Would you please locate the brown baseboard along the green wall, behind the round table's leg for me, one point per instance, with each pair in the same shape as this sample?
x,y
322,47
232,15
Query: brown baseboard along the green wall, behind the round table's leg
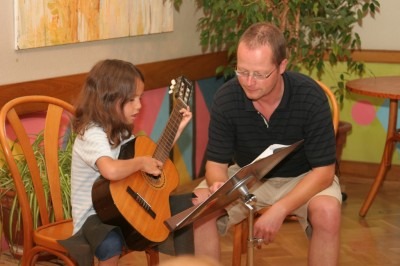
x,y
367,170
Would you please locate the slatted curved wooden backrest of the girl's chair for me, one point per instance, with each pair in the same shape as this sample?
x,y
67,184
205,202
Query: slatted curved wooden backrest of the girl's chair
x,y
47,189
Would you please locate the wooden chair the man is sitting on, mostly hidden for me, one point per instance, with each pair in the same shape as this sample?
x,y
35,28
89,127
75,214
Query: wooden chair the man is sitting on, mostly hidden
x,y
240,230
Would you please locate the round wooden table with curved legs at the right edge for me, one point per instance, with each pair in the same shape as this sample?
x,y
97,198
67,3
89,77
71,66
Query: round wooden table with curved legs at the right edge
x,y
381,87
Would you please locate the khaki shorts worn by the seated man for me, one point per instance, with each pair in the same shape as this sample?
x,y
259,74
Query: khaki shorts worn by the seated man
x,y
267,193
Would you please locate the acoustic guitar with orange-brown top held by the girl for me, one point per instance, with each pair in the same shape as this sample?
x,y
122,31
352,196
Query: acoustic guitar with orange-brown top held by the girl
x,y
139,203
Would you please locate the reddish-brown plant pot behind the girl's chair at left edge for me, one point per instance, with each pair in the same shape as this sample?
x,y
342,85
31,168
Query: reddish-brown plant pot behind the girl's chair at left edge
x,y
12,232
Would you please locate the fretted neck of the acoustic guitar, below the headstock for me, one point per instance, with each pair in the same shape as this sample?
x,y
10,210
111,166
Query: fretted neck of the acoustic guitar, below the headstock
x,y
166,140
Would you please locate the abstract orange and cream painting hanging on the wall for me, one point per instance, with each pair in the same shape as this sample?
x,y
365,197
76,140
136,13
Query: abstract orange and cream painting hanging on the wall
x,y
40,23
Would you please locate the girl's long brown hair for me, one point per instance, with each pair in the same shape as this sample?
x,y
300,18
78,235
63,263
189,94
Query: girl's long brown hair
x,y
109,85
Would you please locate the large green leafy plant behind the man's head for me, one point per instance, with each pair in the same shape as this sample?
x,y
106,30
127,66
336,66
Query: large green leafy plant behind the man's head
x,y
318,33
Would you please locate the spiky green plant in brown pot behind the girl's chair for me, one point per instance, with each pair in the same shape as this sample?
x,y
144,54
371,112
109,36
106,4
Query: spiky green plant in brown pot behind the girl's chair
x,y
9,209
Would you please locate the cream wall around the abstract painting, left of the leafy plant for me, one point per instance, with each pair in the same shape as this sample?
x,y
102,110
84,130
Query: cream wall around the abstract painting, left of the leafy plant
x,y
39,63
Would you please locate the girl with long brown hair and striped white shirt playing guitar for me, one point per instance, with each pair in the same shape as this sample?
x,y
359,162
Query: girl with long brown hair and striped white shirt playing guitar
x,y
105,113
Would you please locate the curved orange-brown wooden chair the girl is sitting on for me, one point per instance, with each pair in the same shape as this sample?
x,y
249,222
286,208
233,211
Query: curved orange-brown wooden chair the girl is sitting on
x,y
43,239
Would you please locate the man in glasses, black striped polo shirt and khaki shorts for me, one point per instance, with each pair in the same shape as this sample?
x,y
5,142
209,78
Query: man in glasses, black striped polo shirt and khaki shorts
x,y
265,105
